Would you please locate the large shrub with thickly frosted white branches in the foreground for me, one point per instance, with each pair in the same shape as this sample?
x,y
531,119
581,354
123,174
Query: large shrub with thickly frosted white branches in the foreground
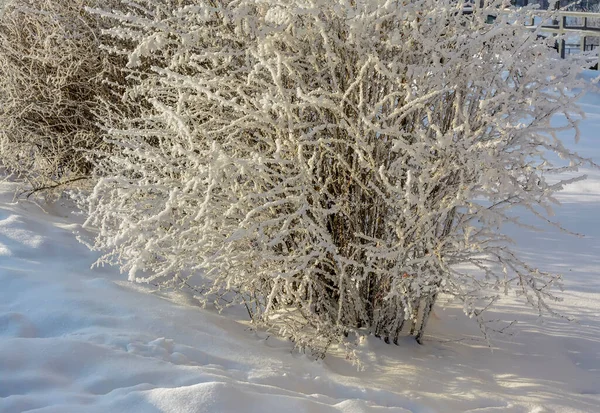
x,y
334,165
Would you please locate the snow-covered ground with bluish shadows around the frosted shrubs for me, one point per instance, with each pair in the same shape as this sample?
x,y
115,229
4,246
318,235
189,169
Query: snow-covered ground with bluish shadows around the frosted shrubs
x,y
79,340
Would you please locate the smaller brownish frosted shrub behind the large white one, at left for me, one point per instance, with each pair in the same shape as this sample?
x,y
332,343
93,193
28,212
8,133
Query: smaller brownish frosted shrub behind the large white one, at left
x,y
54,80
